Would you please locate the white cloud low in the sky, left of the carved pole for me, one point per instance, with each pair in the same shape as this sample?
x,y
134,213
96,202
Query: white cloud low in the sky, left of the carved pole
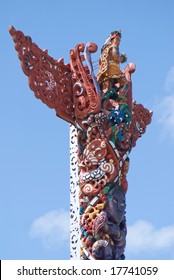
x,y
52,228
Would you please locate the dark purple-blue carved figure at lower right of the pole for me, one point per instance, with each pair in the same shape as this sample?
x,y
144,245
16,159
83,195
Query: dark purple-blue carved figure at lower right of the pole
x,y
110,225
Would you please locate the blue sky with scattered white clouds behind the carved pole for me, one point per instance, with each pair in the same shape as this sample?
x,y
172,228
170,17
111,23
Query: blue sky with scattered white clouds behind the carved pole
x,y
34,161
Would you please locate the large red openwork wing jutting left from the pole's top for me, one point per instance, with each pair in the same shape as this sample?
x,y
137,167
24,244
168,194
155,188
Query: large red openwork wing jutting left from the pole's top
x,y
49,79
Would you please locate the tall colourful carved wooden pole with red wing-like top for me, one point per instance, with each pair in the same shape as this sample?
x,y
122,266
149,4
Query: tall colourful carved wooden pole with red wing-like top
x,y
105,125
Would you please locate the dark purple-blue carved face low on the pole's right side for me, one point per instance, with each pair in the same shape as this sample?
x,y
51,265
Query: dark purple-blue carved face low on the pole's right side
x,y
117,205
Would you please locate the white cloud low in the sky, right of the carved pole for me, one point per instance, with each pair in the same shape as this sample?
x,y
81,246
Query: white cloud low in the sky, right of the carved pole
x,y
144,237
